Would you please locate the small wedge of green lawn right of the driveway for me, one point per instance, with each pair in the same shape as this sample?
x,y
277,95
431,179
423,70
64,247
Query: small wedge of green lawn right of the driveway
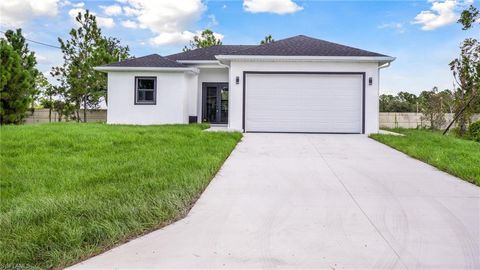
x,y
453,155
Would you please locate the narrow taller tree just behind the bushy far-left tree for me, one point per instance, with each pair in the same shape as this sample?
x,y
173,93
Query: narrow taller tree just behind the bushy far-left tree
x,y
28,61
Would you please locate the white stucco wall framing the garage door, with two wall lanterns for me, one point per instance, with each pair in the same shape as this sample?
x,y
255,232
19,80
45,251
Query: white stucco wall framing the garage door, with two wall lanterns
x,y
235,114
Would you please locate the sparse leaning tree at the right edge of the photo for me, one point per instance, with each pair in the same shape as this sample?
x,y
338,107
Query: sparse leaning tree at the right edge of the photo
x,y
466,71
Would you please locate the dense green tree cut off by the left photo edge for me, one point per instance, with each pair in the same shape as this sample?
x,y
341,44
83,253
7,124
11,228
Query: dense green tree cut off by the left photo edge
x,y
15,85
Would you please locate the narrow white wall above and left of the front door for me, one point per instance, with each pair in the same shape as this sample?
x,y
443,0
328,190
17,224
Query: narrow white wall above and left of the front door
x,y
215,75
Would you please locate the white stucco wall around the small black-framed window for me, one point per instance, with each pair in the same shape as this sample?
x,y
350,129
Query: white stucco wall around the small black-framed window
x,y
172,99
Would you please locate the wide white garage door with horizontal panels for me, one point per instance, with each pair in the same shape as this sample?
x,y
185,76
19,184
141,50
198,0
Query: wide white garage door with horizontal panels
x,y
304,103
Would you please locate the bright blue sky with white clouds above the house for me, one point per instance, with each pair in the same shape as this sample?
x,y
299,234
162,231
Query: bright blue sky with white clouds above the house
x,y
422,35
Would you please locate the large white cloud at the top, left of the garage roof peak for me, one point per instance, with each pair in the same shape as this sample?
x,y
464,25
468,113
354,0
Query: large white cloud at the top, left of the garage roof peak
x,y
170,21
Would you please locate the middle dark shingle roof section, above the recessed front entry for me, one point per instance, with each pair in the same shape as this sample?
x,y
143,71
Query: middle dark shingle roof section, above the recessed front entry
x,y
209,52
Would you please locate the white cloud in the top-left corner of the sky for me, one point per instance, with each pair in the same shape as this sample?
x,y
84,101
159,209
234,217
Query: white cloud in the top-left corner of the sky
x,y
15,13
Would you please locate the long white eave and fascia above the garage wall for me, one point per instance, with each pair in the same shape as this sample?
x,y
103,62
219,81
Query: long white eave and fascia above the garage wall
x,y
379,59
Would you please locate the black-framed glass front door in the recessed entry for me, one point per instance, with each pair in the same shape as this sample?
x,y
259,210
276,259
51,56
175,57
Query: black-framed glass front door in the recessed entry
x,y
215,103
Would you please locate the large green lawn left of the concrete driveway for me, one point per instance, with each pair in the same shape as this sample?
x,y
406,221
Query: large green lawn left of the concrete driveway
x,y
69,191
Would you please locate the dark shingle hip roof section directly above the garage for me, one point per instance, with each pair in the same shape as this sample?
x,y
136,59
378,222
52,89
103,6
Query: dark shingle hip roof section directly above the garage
x,y
304,46
